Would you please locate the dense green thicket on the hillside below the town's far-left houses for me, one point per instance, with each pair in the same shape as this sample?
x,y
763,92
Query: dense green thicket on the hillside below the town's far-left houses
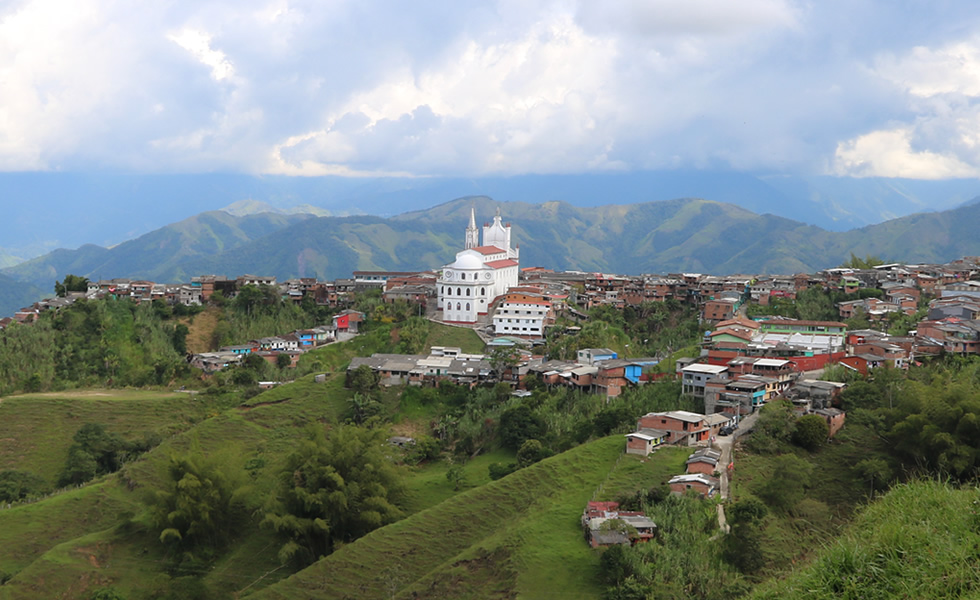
x,y
118,343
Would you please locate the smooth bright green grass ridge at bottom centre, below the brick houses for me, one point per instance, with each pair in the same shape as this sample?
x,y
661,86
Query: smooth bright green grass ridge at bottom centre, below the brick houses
x,y
516,536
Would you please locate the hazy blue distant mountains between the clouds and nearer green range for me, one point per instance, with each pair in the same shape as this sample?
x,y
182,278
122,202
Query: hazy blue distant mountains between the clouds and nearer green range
x,y
45,211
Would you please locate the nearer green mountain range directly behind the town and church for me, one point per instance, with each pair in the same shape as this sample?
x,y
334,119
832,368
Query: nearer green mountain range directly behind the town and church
x,y
654,237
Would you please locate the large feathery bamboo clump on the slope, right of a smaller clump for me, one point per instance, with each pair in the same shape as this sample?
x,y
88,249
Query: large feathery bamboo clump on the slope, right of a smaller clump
x,y
333,490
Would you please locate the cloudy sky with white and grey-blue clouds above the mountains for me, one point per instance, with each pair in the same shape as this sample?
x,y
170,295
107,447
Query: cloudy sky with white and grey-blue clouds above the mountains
x,y
849,87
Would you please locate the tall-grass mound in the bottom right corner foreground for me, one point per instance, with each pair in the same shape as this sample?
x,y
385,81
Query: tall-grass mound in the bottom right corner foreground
x,y
920,540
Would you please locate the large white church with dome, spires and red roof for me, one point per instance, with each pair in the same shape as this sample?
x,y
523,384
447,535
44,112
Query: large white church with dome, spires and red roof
x,y
480,273
